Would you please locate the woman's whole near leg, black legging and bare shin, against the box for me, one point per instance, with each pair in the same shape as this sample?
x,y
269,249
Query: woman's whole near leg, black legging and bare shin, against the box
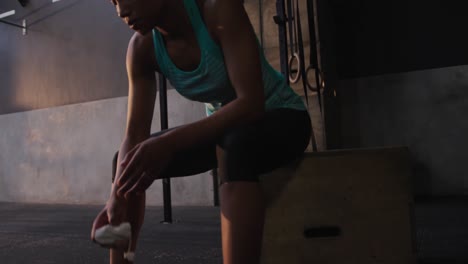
x,y
244,153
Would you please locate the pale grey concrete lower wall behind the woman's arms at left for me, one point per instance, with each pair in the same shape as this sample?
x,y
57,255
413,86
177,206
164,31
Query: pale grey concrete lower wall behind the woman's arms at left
x,y
63,154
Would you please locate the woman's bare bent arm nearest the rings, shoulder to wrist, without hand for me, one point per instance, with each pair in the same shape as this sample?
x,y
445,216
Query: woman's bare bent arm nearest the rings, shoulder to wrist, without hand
x,y
232,29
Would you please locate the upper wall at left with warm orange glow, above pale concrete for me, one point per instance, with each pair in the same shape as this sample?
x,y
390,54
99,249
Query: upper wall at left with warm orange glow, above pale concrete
x,y
74,52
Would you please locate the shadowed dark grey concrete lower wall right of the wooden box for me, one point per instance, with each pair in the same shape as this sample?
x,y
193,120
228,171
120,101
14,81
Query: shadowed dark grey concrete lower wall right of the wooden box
x,y
424,110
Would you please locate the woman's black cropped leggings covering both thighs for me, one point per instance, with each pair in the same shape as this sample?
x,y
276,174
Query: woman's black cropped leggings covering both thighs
x,y
278,138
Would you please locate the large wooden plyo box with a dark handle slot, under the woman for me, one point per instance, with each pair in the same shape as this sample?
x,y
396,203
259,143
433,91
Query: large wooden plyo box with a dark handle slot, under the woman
x,y
340,207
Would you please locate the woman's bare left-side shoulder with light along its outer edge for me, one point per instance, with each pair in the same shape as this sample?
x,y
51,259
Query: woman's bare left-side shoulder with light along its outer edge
x,y
141,58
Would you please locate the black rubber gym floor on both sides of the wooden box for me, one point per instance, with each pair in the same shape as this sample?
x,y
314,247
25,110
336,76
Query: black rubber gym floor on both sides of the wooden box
x,y
33,233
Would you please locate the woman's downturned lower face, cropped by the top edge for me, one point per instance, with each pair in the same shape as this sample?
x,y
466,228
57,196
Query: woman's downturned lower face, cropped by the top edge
x,y
139,15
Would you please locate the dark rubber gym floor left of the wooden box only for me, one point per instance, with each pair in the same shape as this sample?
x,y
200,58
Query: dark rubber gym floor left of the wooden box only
x,y
43,234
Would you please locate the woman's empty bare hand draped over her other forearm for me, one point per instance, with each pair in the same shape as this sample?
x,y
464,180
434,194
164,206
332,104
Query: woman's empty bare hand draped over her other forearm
x,y
142,165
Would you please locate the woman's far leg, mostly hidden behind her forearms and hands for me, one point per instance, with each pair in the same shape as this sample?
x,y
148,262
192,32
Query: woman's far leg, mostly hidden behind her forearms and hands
x,y
197,160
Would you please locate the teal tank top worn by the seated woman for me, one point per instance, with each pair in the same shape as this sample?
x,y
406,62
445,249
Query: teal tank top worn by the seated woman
x,y
209,82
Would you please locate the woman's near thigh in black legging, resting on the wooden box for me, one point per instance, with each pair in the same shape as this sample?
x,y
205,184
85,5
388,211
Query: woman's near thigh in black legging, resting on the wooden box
x,y
280,137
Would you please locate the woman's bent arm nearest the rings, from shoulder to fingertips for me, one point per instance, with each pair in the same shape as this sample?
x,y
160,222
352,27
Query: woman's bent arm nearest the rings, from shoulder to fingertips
x,y
233,31
